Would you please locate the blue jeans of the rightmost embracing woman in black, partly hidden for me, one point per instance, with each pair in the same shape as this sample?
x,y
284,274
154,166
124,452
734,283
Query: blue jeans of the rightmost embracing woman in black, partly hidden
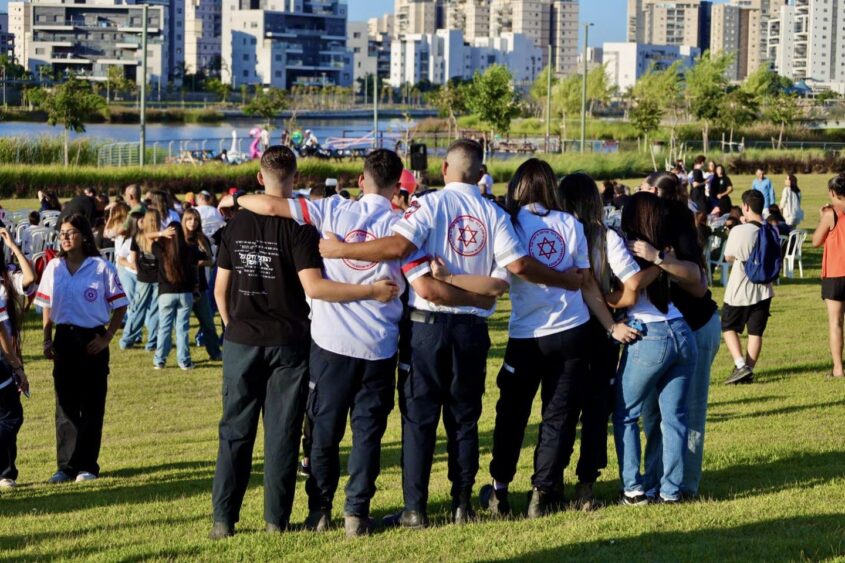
x,y
707,339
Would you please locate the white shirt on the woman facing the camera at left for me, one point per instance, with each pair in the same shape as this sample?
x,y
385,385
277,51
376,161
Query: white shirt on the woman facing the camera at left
x,y
86,298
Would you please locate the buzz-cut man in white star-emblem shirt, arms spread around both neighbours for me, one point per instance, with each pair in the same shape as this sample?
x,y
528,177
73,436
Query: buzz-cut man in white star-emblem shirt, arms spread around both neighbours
x,y
475,241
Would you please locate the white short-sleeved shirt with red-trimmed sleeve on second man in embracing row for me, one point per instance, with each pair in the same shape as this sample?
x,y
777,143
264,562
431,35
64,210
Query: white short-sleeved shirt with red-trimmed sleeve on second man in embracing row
x,y
367,330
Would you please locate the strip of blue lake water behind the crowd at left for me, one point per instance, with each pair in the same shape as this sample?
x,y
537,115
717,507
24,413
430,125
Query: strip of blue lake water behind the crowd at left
x,y
212,133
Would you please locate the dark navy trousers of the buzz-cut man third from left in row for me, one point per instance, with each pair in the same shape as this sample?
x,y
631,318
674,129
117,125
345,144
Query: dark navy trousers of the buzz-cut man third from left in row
x,y
448,368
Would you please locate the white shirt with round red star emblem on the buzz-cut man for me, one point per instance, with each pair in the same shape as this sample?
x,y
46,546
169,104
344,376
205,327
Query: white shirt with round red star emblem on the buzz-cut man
x,y
470,233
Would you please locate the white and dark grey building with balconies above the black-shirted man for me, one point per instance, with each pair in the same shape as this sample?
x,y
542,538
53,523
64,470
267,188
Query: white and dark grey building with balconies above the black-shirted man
x,y
285,42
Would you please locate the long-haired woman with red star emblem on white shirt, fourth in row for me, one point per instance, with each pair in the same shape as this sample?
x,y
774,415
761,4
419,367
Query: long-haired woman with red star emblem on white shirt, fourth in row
x,y
547,345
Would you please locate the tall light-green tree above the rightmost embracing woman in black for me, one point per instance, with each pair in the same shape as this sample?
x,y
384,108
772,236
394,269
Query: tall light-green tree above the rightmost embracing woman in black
x,y
706,88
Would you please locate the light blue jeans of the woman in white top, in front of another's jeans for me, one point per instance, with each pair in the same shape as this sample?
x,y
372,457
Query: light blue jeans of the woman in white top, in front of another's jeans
x,y
661,362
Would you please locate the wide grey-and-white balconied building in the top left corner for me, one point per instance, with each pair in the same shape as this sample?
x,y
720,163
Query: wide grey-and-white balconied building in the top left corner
x,y
86,40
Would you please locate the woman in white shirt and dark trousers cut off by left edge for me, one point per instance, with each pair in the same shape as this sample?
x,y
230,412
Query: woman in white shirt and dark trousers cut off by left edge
x,y
13,380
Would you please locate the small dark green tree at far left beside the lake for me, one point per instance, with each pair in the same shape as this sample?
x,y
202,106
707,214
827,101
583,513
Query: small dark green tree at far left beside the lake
x,y
70,104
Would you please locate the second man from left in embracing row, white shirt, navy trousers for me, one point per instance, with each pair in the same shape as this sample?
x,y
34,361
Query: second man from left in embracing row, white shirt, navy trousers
x,y
353,354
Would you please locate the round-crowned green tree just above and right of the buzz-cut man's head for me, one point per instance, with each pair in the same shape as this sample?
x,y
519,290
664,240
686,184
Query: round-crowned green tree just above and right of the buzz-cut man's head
x,y
493,98
